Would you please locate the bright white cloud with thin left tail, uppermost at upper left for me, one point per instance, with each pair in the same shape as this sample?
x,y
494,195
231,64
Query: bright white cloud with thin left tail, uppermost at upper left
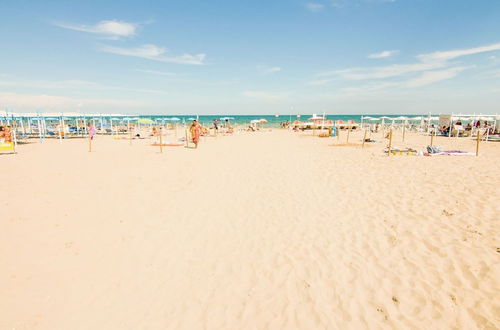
x,y
112,29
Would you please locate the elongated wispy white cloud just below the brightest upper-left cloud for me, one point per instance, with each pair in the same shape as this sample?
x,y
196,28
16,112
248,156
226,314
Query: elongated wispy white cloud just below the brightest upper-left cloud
x,y
153,52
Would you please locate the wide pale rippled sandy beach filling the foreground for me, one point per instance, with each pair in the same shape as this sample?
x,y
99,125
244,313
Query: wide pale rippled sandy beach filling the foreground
x,y
264,230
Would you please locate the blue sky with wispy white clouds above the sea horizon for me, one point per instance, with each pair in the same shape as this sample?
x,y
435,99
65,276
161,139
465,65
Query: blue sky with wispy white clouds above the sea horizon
x,y
250,57
